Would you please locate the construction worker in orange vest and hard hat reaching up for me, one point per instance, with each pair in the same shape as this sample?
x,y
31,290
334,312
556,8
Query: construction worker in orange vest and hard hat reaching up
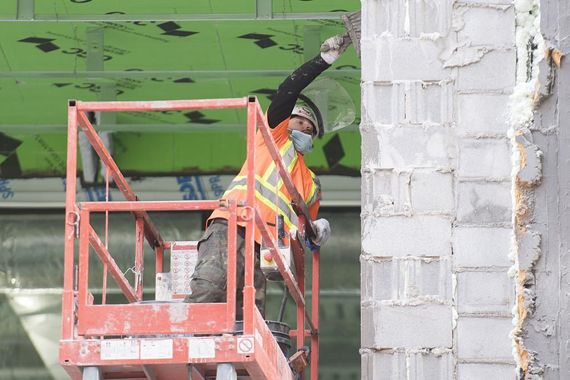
x,y
294,127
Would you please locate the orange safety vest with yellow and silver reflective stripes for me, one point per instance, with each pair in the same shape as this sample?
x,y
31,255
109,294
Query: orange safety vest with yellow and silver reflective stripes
x,y
272,198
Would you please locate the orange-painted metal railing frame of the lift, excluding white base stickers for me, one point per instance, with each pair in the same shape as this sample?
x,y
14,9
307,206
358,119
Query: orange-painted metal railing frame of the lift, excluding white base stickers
x,y
84,324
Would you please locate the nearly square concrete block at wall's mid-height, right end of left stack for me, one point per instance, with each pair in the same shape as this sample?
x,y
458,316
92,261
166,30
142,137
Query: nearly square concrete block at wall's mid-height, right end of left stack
x,y
432,192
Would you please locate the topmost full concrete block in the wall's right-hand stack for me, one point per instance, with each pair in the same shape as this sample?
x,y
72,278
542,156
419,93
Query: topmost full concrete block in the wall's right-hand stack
x,y
486,26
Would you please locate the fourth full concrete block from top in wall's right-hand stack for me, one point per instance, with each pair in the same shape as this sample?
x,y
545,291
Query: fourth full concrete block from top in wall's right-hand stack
x,y
487,157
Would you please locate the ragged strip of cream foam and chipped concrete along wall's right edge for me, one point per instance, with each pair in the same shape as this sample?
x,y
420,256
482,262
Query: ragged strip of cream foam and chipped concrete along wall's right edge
x,y
526,176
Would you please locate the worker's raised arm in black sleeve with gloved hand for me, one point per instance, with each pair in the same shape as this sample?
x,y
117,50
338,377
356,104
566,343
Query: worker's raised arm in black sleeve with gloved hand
x,y
286,96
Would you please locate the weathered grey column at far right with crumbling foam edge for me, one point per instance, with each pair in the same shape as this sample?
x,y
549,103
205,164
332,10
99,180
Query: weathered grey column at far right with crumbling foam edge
x,y
541,142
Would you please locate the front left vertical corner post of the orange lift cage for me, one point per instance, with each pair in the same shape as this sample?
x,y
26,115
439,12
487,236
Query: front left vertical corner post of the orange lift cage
x,y
70,218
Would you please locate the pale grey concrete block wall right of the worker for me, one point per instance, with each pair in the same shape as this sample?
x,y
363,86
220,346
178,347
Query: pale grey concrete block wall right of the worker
x,y
436,189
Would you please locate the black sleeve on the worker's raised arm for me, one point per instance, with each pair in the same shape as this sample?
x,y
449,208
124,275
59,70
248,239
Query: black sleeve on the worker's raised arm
x,y
286,96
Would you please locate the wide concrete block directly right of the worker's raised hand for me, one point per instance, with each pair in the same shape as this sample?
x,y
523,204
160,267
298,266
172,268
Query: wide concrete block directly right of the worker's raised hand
x,y
388,59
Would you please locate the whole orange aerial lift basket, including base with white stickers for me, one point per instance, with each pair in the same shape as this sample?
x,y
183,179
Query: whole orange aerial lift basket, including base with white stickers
x,y
142,339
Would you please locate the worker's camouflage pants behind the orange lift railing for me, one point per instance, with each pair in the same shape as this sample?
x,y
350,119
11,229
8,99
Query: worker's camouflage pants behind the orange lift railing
x,y
209,281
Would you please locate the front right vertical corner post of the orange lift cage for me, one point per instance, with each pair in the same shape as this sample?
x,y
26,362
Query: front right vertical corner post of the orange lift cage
x,y
249,290
